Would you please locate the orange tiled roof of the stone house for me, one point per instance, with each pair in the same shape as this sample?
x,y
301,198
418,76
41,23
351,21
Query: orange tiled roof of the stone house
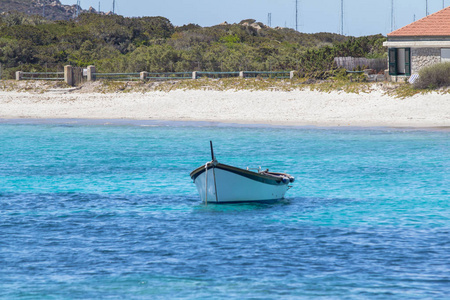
x,y
437,24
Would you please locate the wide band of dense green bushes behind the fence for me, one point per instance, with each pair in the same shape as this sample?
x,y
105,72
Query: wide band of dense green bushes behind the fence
x,y
116,44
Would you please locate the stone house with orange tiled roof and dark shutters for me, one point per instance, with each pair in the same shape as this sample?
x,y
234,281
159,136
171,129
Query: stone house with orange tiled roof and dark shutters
x,y
419,44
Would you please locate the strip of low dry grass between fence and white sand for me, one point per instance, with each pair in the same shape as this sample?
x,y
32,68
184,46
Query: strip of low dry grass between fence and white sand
x,y
392,89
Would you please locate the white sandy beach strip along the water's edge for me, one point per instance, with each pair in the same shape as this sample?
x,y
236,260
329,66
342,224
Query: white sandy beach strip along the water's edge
x,y
257,107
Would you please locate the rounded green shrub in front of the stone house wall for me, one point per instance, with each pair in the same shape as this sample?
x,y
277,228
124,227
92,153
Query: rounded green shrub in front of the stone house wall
x,y
433,77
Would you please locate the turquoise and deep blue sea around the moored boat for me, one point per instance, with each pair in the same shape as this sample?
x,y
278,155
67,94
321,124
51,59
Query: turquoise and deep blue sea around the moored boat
x,y
107,210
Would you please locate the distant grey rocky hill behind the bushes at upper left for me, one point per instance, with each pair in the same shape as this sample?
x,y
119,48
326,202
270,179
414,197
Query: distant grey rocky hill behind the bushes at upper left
x,y
50,9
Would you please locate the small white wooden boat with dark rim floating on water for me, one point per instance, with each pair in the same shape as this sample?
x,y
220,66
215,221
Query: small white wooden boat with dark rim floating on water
x,y
219,183
